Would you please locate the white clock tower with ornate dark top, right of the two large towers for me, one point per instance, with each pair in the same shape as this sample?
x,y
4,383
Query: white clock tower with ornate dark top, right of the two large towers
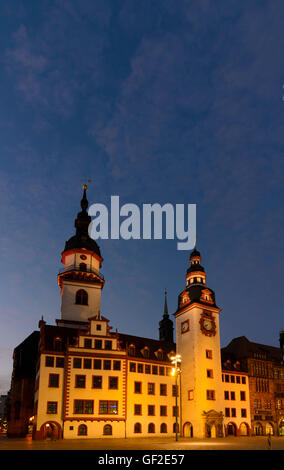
x,y
198,343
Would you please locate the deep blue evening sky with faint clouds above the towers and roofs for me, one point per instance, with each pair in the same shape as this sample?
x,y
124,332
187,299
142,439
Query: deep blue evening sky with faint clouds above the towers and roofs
x,y
154,101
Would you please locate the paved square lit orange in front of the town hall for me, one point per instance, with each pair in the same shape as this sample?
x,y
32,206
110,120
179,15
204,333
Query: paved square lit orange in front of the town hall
x,y
227,443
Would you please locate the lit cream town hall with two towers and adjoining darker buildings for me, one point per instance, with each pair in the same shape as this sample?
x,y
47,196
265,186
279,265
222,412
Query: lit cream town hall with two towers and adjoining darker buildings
x,y
81,378
